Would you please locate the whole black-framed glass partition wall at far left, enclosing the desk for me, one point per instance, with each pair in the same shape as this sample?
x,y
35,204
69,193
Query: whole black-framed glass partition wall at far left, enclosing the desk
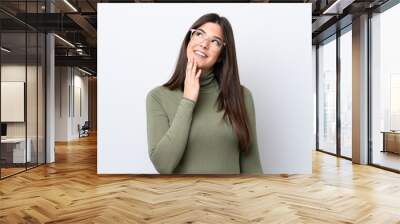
x,y
22,77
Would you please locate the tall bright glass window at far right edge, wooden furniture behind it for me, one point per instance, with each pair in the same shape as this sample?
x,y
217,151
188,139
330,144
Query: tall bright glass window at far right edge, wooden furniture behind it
x,y
385,89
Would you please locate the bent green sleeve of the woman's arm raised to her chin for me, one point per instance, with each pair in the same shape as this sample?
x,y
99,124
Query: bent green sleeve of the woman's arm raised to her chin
x,y
167,142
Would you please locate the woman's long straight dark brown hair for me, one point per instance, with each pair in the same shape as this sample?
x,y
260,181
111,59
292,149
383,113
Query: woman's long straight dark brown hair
x,y
230,98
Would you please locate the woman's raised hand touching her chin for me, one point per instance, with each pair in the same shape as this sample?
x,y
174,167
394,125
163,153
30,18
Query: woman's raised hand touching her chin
x,y
192,83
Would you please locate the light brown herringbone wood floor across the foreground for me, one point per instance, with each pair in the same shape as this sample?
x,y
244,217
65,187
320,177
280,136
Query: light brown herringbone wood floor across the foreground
x,y
70,191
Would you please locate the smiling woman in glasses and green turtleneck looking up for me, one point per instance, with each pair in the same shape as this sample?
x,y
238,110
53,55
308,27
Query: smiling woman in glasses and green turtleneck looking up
x,y
202,121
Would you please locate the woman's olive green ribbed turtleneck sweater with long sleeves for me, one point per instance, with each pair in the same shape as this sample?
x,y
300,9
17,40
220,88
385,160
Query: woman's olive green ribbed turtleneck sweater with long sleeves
x,y
187,137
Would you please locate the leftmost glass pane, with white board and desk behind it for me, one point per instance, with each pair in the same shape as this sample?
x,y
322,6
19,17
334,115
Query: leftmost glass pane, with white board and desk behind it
x,y
13,94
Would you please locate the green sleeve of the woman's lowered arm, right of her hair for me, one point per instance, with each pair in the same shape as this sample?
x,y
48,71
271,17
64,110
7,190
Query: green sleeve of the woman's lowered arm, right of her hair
x,y
250,162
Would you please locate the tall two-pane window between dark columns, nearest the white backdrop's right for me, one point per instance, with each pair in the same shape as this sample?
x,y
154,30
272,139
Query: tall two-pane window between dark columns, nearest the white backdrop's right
x,y
334,80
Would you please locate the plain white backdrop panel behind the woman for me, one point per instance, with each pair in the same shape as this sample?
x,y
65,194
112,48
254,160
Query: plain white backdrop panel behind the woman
x,y
138,46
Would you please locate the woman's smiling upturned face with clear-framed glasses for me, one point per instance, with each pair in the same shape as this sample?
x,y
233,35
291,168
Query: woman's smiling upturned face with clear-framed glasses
x,y
203,46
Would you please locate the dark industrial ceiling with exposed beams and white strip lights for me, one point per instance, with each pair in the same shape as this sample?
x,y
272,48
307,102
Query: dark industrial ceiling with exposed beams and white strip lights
x,y
76,22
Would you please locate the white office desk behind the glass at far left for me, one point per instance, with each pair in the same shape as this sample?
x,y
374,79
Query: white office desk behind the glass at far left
x,y
13,150
